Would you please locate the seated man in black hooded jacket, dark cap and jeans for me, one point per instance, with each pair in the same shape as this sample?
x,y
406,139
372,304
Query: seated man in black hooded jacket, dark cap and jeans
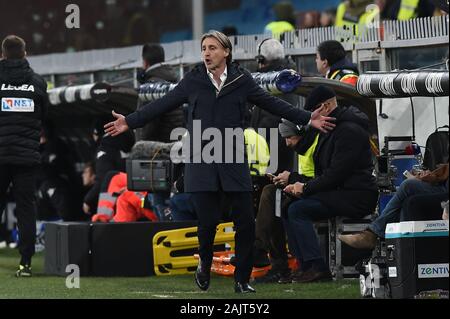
x,y
343,186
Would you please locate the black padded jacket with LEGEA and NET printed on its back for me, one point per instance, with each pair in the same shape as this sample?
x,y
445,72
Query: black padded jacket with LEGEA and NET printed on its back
x,y
24,104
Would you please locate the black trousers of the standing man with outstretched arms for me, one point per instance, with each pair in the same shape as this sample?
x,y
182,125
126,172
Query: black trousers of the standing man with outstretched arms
x,y
207,207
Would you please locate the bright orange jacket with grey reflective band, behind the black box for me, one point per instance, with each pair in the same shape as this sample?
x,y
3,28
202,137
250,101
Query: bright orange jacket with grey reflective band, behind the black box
x,y
118,204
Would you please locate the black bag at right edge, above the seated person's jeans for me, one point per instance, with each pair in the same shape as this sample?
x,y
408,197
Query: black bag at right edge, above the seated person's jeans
x,y
436,151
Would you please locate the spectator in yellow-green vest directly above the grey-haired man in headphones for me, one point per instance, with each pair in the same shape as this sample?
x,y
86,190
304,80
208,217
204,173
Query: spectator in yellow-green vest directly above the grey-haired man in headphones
x,y
285,19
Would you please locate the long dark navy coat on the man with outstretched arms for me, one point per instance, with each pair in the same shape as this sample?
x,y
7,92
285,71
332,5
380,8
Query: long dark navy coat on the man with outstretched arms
x,y
222,110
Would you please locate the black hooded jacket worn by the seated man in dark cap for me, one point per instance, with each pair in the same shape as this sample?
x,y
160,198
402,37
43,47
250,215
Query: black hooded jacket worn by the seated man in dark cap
x,y
343,166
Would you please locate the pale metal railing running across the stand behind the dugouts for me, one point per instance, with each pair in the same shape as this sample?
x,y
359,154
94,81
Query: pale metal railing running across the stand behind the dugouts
x,y
387,34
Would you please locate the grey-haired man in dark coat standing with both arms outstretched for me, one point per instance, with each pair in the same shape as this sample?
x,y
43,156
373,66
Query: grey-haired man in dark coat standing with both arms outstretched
x,y
217,92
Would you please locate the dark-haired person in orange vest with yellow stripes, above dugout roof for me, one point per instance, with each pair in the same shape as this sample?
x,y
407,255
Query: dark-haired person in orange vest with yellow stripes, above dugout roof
x,y
331,62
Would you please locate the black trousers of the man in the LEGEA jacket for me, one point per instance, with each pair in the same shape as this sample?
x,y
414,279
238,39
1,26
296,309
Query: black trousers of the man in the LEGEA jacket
x,y
23,179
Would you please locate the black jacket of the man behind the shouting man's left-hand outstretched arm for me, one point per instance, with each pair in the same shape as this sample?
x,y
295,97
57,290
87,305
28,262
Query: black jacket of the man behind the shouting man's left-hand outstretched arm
x,y
160,128
